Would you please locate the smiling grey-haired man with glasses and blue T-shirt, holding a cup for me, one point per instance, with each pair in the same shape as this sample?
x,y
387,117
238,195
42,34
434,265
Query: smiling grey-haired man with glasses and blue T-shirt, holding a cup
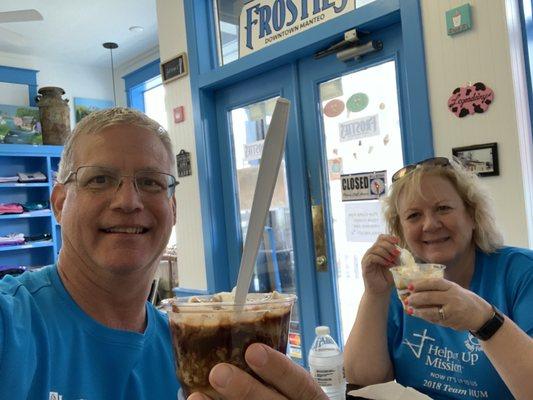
x,y
83,329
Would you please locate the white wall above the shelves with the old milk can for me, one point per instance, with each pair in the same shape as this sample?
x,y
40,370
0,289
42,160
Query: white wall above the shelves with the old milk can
x,y
76,80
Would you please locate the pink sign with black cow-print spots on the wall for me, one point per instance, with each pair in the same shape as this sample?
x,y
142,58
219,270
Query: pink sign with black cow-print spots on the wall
x,y
471,99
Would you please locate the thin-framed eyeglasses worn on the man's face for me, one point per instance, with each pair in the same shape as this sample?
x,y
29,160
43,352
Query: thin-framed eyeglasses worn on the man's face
x,y
102,180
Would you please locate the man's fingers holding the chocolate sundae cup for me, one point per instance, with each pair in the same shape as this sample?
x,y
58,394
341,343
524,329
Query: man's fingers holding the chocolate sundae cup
x,y
288,381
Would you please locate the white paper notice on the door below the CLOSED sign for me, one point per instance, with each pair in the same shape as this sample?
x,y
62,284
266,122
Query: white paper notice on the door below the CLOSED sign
x,y
364,221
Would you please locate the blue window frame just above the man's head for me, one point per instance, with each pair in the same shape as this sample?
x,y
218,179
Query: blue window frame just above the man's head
x,y
139,81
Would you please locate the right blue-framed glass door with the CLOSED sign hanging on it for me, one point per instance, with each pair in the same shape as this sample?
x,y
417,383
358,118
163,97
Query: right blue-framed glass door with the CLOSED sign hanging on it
x,y
355,108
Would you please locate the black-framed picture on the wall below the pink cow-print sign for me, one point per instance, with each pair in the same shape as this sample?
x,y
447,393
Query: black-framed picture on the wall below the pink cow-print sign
x,y
480,158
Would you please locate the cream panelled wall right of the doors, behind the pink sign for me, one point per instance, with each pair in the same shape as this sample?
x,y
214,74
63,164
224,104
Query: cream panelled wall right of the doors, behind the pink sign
x,y
481,54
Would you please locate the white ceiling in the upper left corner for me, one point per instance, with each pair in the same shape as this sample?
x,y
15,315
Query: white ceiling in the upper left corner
x,y
73,31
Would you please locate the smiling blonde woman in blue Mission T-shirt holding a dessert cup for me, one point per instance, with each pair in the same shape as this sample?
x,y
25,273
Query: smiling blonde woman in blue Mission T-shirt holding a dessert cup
x,y
466,336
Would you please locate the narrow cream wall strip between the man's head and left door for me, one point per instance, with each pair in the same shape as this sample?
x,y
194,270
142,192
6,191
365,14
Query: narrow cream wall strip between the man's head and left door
x,y
190,246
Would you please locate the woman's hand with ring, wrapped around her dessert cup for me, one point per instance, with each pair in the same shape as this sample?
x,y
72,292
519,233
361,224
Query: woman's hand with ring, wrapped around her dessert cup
x,y
460,308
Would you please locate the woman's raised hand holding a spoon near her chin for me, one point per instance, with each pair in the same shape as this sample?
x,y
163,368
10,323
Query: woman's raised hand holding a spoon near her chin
x,y
376,263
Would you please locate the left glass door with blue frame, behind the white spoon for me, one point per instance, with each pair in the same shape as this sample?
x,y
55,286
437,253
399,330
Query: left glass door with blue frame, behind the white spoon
x,y
244,113
